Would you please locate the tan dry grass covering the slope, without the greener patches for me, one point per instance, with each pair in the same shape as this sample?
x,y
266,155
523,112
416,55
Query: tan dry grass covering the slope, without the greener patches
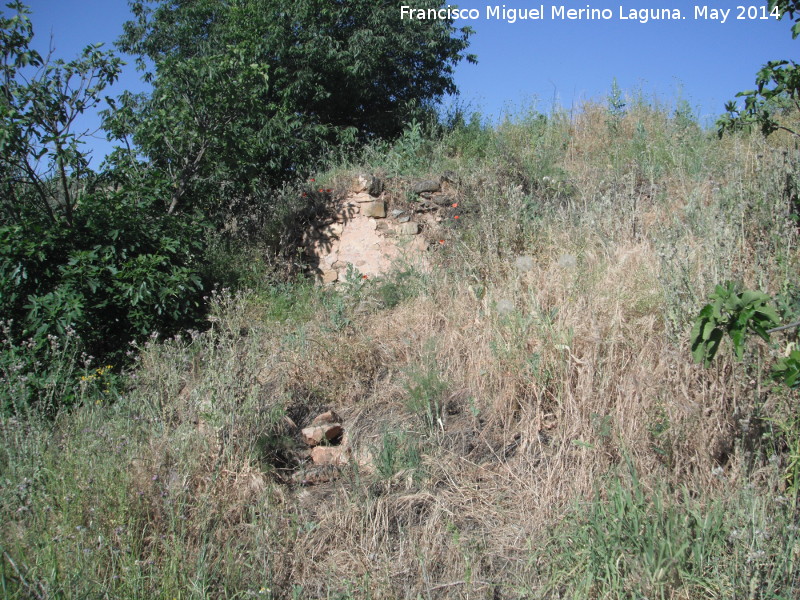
x,y
554,381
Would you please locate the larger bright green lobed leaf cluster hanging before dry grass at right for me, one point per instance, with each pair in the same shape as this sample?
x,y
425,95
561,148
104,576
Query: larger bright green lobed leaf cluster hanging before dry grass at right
x,y
734,313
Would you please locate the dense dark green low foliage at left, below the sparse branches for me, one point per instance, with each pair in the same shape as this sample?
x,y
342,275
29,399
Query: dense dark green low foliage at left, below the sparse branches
x,y
123,271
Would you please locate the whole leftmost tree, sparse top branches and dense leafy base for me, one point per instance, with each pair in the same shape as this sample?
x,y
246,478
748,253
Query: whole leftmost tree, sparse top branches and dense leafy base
x,y
81,258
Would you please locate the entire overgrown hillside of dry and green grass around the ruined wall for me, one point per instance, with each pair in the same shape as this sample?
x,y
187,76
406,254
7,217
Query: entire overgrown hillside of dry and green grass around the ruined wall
x,y
524,419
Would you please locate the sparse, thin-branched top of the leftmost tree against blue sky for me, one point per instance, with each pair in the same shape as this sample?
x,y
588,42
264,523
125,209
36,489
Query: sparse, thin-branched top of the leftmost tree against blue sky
x,y
41,162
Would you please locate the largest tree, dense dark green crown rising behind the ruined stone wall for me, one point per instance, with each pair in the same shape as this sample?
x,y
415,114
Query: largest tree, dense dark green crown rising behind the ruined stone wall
x,y
249,93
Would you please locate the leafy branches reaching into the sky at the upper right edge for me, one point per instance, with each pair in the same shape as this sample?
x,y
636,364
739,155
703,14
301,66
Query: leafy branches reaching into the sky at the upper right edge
x,y
777,87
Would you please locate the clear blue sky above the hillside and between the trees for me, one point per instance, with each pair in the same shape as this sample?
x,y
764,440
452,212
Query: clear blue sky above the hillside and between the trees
x,y
534,62
